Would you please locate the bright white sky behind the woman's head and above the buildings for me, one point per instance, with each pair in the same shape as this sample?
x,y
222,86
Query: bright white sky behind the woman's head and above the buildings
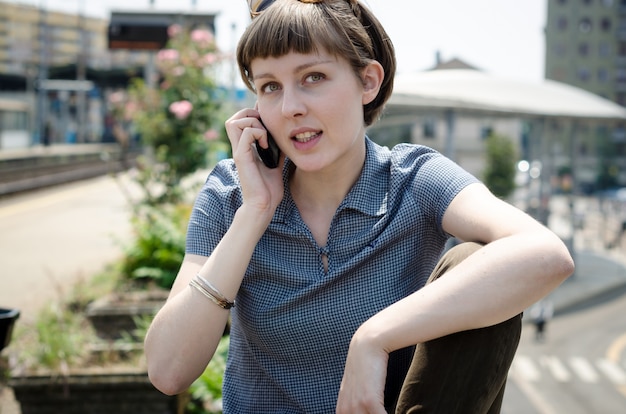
x,y
502,37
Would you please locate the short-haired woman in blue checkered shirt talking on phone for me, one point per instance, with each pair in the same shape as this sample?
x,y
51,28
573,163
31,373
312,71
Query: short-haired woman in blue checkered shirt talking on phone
x,y
328,255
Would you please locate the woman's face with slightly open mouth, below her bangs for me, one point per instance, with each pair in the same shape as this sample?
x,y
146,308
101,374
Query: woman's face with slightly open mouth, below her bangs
x,y
313,106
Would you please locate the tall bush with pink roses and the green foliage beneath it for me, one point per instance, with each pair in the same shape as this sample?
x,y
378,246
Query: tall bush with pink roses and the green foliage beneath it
x,y
176,117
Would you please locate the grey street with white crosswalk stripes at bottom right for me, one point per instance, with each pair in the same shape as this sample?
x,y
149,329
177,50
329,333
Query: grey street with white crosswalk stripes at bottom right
x,y
580,368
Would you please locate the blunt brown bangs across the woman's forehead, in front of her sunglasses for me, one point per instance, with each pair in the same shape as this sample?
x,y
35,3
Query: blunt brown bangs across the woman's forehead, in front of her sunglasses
x,y
293,27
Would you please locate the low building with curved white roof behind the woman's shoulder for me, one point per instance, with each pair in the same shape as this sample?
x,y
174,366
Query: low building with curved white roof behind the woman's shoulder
x,y
561,130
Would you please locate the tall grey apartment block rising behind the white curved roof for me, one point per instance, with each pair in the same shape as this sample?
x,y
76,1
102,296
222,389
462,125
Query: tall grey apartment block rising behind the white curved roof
x,y
586,48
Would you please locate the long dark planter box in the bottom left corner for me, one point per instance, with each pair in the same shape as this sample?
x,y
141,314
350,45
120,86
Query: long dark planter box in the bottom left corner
x,y
93,393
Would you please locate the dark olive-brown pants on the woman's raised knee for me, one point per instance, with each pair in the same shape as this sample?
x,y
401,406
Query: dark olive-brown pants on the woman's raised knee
x,y
465,372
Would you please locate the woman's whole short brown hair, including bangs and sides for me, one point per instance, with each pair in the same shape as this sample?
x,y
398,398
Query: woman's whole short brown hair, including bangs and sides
x,y
343,28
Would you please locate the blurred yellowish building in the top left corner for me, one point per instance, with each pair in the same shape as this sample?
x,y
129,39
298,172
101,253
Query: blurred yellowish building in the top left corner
x,y
63,44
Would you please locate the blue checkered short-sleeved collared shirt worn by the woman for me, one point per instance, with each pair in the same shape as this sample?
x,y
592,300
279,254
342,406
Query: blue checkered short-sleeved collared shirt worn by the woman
x,y
293,321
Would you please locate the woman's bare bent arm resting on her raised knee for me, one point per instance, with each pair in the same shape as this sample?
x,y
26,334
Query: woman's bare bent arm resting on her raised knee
x,y
521,262
